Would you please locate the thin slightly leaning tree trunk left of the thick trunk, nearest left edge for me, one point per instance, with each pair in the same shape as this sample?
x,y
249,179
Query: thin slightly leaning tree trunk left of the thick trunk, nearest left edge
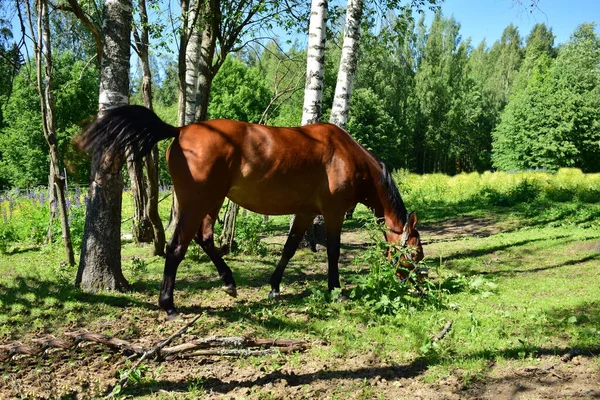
x,y
47,104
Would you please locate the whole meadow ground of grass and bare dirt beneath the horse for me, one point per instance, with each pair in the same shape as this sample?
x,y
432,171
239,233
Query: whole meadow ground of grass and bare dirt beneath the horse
x,y
513,261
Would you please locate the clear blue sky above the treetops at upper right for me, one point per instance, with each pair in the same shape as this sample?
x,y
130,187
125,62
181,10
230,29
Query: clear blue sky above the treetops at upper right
x,y
486,19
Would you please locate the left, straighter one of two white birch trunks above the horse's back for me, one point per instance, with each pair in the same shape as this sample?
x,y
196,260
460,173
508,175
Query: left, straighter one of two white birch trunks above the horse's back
x,y
315,62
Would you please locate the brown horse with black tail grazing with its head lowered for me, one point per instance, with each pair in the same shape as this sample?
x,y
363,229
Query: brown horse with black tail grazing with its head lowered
x,y
309,170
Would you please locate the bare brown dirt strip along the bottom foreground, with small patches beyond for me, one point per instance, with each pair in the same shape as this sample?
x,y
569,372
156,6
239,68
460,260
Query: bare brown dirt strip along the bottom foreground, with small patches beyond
x,y
89,370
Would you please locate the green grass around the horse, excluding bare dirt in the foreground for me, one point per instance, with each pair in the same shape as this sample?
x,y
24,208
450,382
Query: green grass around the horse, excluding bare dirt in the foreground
x,y
530,288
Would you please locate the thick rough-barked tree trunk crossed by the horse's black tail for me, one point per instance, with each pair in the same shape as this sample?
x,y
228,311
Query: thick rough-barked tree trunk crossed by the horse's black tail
x,y
100,262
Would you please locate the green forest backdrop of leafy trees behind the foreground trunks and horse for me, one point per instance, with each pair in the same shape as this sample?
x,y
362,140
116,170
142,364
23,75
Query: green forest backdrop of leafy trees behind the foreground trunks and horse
x,y
425,99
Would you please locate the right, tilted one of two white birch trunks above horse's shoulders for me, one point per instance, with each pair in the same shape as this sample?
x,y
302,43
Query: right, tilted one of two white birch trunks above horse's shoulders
x,y
348,62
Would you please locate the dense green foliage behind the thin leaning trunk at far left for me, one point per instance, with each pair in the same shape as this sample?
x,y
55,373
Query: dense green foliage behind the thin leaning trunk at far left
x,y
23,149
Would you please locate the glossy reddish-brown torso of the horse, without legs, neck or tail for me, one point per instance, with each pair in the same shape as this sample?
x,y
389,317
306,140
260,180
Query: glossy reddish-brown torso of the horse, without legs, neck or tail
x,y
273,170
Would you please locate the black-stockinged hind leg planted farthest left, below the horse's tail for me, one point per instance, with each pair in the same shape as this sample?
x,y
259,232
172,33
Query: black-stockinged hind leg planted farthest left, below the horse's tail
x,y
176,249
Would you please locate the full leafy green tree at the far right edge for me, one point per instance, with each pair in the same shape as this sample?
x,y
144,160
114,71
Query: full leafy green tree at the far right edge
x,y
549,121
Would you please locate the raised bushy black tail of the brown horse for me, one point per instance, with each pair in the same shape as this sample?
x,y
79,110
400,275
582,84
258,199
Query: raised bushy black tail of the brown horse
x,y
126,129
